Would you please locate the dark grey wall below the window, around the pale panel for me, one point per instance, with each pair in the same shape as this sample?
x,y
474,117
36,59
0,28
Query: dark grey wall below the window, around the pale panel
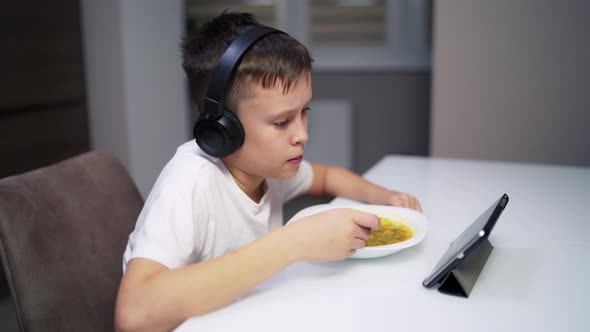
x,y
390,111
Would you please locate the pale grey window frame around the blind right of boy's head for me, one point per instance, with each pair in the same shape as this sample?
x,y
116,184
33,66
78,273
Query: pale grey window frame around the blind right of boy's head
x,y
406,45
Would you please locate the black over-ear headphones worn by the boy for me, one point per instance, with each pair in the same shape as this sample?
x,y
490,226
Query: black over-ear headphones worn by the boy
x,y
218,131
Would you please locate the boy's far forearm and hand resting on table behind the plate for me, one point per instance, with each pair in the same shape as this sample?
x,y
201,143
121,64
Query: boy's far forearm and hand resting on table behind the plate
x,y
337,181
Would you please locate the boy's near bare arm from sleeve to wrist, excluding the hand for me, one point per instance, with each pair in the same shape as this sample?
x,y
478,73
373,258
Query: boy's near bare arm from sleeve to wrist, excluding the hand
x,y
153,297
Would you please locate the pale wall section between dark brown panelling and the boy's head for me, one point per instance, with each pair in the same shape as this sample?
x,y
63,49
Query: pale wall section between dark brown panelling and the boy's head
x,y
137,95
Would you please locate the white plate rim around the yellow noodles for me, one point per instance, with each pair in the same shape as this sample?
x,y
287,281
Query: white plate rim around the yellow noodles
x,y
411,218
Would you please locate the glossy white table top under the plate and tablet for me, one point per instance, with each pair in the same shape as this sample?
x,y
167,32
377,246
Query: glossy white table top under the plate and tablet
x,y
537,278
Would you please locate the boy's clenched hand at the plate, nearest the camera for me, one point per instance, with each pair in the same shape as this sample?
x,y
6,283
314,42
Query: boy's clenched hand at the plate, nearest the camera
x,y
331,235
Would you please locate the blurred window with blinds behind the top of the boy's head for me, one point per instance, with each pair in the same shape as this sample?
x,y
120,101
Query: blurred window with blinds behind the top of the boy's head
x,y
342,34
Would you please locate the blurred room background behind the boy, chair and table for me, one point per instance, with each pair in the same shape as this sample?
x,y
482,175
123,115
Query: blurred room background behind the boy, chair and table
x,y
496,80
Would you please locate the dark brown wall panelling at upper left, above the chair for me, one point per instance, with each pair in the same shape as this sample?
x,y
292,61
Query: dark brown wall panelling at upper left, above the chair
x,y
43,117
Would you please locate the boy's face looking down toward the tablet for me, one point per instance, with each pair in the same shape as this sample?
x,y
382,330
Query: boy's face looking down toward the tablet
x,y
275,126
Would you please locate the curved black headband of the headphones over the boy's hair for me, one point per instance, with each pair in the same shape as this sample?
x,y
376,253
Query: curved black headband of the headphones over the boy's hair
x,y
227,65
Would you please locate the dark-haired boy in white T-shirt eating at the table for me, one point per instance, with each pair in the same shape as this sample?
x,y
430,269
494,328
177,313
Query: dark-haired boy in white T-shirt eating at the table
x,y
209,219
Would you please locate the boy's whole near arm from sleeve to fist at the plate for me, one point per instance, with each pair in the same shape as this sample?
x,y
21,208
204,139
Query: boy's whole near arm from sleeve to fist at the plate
x,y
152,297
